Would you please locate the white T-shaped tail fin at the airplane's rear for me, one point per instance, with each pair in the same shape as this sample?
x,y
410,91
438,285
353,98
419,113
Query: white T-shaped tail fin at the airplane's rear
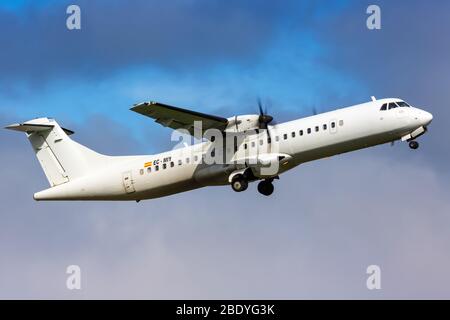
x,y
61,158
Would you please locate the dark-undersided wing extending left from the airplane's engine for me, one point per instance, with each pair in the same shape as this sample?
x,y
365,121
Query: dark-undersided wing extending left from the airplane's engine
x,y
178,118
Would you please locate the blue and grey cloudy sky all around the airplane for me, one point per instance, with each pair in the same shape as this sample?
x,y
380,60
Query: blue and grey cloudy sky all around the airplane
x,y
327,220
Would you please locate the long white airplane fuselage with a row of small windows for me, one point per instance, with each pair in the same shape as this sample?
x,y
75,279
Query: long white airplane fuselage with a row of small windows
x,y
305,139
